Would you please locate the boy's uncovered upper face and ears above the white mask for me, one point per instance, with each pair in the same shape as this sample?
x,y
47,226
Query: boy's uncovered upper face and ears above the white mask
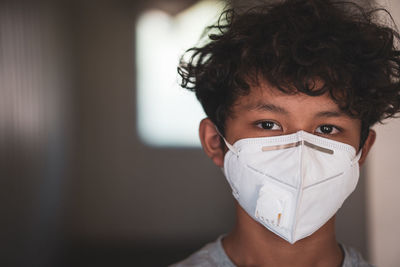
x,y
266,111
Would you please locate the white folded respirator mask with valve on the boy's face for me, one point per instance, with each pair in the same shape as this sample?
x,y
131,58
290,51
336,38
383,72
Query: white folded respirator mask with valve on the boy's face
x,y
292,184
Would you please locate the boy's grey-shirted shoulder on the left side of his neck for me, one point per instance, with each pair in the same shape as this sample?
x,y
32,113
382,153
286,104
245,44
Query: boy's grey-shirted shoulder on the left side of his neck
x,y
210,255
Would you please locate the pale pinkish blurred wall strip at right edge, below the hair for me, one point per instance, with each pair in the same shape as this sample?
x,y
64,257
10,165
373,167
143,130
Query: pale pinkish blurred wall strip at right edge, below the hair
x,y
383,197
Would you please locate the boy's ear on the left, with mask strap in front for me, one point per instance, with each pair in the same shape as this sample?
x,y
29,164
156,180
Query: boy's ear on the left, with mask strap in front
x,y
211,142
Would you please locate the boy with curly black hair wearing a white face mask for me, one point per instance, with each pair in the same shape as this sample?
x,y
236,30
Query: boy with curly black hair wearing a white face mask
x,y
291,91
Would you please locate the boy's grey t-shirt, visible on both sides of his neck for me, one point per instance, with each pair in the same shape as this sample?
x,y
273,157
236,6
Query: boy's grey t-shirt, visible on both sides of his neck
x,y
213,254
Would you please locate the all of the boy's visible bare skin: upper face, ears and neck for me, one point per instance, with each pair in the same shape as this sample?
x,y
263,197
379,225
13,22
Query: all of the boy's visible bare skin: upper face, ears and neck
x,y
268,112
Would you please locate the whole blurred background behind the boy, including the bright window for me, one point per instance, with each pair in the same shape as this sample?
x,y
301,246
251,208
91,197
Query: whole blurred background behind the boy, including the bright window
x,y
99,159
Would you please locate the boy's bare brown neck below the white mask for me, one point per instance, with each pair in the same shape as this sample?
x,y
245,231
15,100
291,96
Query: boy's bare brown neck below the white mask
x,y
251,244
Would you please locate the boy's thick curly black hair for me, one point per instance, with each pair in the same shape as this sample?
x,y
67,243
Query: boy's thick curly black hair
x,y
293,43
